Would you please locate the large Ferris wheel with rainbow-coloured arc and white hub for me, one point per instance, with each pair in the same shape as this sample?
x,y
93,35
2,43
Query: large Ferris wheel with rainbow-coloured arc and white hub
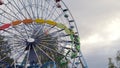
x,y
38,34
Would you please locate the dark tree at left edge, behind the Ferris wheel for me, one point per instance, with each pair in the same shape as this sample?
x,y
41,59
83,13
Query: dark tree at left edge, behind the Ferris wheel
x,y
4,51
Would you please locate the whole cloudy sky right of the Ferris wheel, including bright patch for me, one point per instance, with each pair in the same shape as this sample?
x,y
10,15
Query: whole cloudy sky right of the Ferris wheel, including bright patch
x,y
99,27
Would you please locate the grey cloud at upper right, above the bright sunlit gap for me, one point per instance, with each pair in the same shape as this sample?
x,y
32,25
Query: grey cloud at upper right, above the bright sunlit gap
x,y
91,15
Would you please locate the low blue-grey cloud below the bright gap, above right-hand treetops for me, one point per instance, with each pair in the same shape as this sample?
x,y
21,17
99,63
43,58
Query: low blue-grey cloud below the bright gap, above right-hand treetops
x,y
98,56
